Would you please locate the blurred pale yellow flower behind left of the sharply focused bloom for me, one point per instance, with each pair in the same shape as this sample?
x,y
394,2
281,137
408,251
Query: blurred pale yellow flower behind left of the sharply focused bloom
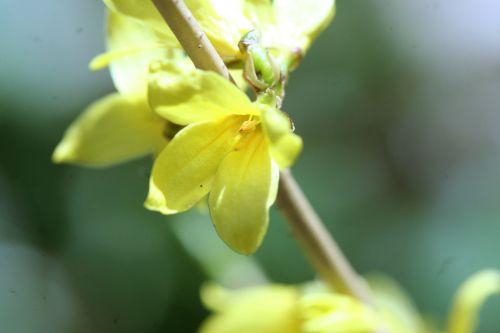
x,y
120,126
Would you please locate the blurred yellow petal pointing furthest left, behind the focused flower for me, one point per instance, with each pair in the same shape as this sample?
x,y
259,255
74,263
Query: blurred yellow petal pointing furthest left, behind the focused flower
x,y
113,129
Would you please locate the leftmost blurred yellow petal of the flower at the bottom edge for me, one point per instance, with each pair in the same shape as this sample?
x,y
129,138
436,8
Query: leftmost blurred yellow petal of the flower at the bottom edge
x,y
267,309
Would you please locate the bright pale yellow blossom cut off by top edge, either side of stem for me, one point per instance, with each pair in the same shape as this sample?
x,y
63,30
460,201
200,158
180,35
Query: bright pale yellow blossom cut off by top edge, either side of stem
x,y
285,24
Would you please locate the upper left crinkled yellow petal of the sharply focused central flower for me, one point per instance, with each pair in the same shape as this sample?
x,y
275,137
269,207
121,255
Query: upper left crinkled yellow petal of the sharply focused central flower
x,y
185,96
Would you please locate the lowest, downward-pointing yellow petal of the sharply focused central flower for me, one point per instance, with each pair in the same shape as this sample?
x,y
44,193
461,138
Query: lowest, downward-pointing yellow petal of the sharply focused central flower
x,y
244,188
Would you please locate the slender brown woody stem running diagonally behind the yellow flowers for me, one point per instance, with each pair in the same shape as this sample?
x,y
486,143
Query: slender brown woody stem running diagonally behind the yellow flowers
x,y
323,252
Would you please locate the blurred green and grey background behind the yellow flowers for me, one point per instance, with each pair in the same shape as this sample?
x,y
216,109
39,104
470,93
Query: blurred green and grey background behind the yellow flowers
x,y
399,106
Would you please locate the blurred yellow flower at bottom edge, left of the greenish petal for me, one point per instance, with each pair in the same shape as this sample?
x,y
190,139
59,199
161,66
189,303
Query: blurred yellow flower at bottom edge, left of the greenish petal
x,y
284,309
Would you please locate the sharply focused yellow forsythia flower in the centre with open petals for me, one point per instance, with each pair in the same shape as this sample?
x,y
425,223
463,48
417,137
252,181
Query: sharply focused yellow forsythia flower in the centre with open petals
x,y
229,148
